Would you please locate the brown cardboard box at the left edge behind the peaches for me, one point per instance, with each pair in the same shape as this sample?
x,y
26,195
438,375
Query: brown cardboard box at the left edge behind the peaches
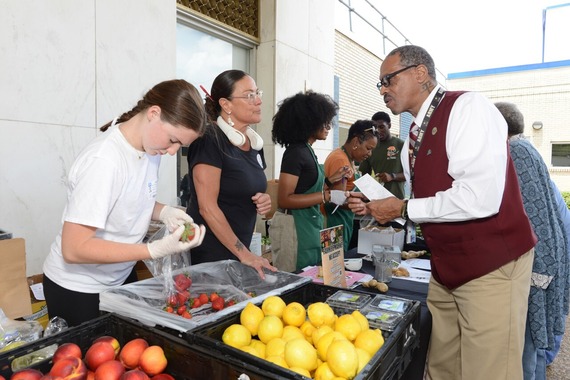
x,y
14,293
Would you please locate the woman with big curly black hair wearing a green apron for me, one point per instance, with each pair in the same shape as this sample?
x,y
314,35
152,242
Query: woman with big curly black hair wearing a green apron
x,y
295,228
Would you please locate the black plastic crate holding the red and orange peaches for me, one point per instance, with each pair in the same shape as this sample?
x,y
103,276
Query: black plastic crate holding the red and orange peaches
x,y
184,360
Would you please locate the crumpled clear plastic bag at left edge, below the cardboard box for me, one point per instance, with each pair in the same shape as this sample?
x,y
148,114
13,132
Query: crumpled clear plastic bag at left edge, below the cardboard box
x,y
16,333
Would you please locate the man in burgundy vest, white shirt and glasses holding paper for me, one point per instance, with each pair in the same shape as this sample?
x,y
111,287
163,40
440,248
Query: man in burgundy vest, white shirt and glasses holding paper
x,y
466,199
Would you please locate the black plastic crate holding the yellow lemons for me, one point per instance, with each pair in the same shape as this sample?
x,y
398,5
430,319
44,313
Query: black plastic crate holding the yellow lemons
x,y
388,363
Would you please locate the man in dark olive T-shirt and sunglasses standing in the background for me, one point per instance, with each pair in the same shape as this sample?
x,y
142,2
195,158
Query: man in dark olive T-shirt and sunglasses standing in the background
x,y
384,163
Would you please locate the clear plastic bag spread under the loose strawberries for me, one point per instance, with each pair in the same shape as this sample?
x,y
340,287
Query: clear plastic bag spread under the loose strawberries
x,y
145,300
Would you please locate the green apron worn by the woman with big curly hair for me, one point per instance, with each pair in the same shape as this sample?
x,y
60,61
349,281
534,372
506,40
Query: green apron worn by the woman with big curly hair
x,y
309,223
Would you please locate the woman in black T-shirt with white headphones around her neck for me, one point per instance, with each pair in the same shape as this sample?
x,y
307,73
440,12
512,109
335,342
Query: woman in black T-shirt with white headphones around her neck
x,y
227,182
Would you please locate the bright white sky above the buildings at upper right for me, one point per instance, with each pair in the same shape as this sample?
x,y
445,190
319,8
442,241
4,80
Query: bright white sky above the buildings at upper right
x,y
466,35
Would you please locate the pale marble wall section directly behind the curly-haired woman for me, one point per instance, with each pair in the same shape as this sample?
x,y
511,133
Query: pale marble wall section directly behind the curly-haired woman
x,y
297,56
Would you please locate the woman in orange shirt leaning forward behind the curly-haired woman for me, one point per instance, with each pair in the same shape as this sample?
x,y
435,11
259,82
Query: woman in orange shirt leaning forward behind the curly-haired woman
x,y
361,140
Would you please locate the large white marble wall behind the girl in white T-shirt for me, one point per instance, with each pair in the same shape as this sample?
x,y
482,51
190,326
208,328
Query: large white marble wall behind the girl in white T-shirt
x,y
67,67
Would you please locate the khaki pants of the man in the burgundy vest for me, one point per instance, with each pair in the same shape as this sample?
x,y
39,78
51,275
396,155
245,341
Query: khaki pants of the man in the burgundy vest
x,y
478,328
